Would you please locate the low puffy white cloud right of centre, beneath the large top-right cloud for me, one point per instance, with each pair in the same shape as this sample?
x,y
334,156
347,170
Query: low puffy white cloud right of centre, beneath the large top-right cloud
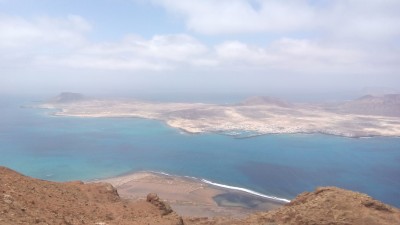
x,y
290,55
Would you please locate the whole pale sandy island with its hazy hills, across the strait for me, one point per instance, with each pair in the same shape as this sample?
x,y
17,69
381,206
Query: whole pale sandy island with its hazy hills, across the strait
x,y
363,117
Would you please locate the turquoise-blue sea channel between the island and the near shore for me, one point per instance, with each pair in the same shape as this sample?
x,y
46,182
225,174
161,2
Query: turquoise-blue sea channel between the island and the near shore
x,y
62,148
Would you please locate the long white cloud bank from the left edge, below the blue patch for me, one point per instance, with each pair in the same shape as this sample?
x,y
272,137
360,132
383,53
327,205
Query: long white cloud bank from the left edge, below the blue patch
x,y
63,42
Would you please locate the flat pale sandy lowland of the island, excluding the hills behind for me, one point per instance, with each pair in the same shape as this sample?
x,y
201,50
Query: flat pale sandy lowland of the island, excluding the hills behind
x,y
236,121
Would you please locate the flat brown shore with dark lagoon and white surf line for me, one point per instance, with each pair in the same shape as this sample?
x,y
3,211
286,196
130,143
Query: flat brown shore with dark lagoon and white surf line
x,y
190,196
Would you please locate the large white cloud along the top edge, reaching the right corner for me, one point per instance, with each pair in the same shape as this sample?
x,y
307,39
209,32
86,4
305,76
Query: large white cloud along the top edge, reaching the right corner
x,y
357,19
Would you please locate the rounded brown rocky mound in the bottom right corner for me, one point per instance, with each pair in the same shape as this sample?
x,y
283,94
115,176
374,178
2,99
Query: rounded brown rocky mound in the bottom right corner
x,y
333,206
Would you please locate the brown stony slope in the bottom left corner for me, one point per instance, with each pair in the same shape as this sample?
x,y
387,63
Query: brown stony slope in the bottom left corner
x,y
24,200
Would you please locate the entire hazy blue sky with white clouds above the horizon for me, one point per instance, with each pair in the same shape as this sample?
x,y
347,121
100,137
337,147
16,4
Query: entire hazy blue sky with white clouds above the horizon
x,y
269,47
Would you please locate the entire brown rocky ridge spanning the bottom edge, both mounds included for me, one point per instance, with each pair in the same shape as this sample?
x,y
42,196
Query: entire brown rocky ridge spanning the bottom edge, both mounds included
x,y
24,200
